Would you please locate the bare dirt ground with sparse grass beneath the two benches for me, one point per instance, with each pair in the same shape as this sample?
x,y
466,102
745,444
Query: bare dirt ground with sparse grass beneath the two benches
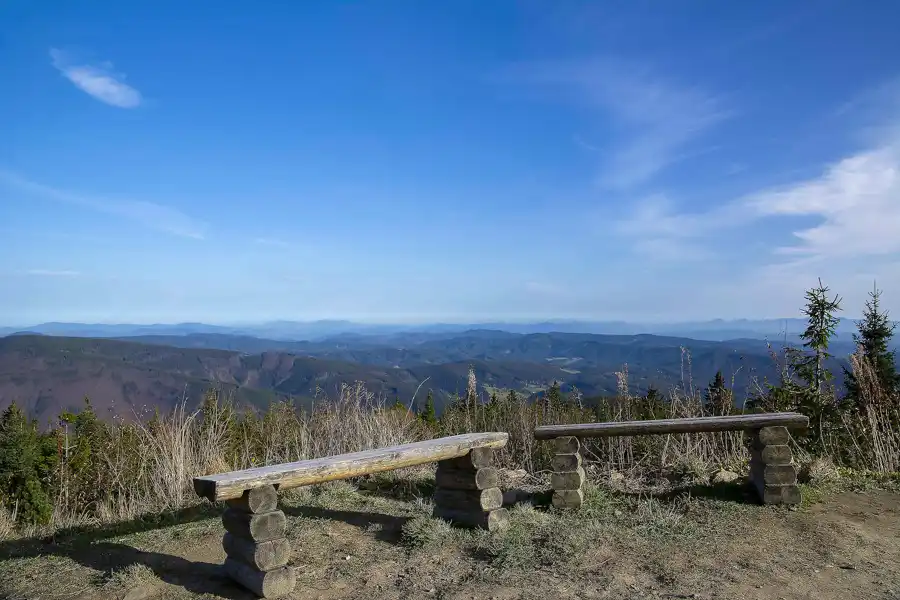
x,y
378,543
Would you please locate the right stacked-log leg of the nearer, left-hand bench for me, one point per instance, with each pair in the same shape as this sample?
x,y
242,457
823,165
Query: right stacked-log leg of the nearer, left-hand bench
x,y
467,491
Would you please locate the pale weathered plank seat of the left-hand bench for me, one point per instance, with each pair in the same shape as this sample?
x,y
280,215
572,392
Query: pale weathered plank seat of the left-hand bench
x,y
308,472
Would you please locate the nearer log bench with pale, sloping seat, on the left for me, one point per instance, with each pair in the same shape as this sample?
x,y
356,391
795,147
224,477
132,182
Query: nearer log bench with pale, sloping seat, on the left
x,y
257,551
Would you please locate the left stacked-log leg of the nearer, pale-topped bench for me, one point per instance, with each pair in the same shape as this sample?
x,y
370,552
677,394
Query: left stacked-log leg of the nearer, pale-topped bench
x,y
256,545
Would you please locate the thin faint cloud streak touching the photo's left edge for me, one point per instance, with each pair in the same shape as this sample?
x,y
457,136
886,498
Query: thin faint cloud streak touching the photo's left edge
x,y
150,214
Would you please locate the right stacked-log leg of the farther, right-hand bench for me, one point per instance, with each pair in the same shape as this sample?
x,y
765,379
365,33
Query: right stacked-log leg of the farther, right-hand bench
x,y
772,472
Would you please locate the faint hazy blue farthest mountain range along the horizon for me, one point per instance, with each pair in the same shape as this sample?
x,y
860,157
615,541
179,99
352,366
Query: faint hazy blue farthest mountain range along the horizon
x,y
714,330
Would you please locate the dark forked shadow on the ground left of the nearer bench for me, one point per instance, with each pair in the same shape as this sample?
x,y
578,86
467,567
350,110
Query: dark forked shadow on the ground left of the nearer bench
x,y
89,548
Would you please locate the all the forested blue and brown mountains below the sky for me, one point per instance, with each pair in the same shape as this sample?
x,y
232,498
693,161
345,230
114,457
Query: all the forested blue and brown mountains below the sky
x,y
47,373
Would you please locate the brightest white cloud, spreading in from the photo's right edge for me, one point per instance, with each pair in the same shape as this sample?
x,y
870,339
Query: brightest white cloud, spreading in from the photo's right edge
x,y
854,204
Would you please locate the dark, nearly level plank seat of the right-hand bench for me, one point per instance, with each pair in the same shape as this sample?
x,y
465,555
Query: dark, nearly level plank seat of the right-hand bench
x,y
662,426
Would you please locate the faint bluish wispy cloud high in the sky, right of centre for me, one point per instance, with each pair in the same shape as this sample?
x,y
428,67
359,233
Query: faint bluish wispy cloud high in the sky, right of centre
x,y
655,117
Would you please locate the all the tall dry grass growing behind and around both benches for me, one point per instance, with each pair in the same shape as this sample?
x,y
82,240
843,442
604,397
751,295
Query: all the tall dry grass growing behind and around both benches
x,y
147,468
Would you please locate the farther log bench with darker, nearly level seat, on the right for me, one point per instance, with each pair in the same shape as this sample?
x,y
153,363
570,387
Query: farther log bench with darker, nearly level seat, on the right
x,y
772,472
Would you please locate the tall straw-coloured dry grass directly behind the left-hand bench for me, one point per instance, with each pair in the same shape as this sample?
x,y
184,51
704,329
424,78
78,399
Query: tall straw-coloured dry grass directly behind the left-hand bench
x,y
148,467
